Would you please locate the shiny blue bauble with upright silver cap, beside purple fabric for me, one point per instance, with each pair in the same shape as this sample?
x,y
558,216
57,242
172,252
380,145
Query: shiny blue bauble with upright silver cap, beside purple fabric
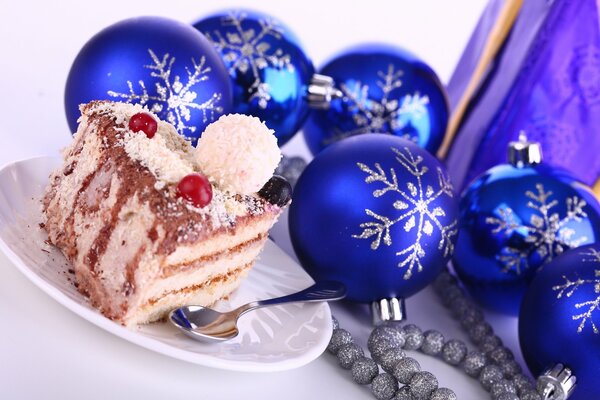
x,y
515,218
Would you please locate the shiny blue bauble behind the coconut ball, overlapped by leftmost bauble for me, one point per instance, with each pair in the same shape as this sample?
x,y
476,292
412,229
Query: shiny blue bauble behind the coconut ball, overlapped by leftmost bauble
x,y
268,67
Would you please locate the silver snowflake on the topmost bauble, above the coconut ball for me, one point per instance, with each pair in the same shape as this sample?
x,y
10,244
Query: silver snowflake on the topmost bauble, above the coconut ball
x,y
247,50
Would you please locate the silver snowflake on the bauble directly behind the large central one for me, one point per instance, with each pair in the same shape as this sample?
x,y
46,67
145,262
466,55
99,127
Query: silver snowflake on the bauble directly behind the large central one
x,y
388,114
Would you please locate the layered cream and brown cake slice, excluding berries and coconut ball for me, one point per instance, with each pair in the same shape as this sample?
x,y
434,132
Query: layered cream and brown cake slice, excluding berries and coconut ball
x,y
137,247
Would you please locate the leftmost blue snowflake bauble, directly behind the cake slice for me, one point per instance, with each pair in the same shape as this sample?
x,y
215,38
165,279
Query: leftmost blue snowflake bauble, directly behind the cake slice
x,y
161,63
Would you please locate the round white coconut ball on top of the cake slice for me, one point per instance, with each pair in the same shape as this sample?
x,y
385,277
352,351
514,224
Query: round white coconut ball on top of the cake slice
x,y
239,152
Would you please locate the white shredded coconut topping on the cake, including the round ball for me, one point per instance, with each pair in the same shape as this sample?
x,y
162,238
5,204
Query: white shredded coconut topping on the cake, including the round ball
x,y
169,158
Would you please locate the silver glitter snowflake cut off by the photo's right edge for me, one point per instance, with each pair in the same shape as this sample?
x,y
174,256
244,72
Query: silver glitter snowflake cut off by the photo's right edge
x,y
569,287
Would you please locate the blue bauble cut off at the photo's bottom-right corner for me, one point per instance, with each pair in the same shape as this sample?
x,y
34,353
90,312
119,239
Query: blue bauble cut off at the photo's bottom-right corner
x,y
559,320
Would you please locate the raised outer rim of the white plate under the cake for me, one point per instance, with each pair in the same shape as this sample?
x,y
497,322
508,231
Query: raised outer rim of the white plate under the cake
x,y
136,338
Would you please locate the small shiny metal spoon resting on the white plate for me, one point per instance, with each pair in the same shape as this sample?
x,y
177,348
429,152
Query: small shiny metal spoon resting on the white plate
x,y
205,324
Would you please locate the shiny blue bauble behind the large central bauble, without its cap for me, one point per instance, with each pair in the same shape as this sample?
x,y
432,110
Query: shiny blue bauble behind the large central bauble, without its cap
x,y
385,89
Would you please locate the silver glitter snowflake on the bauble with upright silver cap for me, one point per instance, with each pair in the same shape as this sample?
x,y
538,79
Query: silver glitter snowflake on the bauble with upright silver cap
x,y
546,233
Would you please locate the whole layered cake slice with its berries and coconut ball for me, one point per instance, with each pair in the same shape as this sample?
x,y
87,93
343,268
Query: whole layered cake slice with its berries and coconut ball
x,y
150,223
